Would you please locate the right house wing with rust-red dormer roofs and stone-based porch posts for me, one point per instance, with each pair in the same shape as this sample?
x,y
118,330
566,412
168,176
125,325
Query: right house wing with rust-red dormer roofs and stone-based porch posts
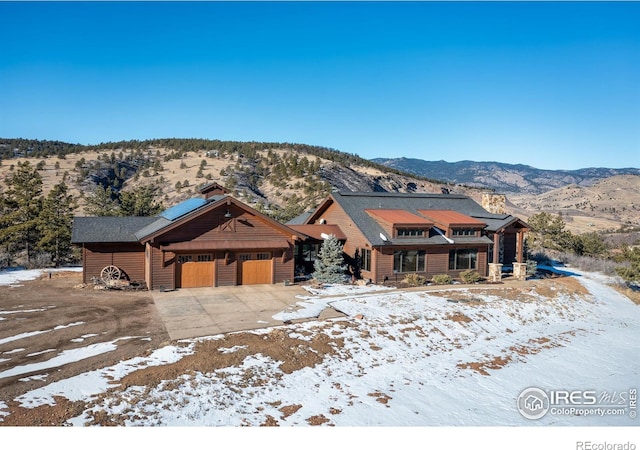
x,y
388,235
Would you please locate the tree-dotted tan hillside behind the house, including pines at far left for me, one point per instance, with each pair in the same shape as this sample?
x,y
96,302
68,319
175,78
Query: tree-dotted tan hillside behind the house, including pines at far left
x,y
281,180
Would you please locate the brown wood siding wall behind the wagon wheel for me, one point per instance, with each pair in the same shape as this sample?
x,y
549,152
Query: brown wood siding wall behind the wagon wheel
x,y
128,257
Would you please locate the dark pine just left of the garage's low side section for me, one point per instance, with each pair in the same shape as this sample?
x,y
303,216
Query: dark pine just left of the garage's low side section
x,y
55,222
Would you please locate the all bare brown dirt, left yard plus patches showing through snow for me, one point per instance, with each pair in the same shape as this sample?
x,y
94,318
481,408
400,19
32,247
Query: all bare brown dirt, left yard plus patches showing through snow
x,y
86,316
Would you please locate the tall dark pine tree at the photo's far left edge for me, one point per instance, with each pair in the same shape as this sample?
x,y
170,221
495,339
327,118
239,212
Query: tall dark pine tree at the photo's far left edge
x,y
21,205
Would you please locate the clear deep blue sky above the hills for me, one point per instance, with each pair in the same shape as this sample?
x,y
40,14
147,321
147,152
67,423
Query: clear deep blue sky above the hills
x,y
552,85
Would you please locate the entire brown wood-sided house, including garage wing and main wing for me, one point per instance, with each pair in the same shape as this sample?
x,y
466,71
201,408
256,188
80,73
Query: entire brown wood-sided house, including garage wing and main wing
x,y
216,240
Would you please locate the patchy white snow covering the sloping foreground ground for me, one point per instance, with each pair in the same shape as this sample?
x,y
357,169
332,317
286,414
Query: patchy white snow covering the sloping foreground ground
x,y
403,359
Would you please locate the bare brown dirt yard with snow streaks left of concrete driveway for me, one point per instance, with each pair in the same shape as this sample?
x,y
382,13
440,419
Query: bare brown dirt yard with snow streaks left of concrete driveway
x,y
83,317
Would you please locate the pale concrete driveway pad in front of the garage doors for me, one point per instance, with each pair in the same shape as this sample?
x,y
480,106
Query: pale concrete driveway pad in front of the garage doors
x,y
195,312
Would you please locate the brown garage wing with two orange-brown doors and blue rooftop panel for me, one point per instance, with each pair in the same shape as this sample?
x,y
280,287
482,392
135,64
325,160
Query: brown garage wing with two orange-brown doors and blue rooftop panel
x,y
213,240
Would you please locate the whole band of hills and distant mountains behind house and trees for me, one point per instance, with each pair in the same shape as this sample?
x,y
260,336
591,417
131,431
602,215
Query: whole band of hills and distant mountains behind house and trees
x,y
284,179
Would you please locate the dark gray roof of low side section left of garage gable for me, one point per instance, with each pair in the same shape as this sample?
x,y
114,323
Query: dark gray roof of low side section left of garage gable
x,y
108,229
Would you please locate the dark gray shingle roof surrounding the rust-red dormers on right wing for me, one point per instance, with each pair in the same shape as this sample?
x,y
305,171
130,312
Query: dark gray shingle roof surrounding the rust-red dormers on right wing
x,y
355,204
